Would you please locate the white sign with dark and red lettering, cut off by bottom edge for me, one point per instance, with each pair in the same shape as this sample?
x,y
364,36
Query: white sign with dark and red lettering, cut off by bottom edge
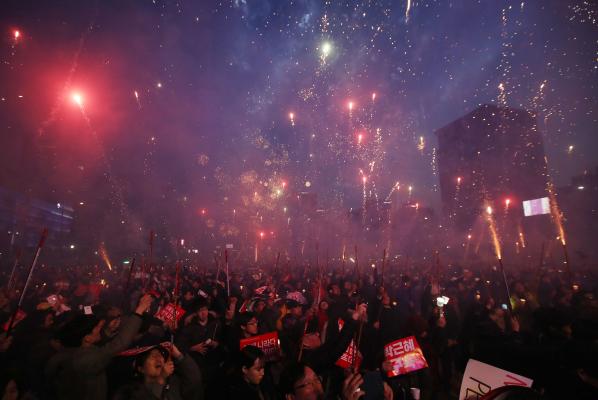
x,y
480,378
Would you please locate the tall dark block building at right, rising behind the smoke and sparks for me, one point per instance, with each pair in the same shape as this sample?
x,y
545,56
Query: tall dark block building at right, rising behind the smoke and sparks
x,y
491,156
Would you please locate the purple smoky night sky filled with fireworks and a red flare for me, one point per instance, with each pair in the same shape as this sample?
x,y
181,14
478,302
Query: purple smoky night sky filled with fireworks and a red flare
x,y
212,115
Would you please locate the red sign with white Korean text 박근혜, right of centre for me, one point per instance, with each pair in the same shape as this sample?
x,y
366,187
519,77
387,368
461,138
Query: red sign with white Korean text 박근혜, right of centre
x,y
406,356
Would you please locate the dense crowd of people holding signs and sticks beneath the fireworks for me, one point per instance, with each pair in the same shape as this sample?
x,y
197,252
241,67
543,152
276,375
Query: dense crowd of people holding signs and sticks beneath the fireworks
x,y
89,332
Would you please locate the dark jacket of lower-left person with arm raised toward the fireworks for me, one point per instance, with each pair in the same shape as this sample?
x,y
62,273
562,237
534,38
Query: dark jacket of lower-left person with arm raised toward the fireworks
x,y
79,373
